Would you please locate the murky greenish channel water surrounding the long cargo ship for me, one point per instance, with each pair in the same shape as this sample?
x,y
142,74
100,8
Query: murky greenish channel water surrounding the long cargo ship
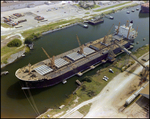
x,y
14,103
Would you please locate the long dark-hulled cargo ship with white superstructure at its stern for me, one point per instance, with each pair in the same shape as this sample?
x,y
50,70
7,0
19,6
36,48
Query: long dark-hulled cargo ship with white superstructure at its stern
x,y
52,71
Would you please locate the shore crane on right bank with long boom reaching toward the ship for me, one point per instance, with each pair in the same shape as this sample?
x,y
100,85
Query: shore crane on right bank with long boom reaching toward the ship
x,y
145,72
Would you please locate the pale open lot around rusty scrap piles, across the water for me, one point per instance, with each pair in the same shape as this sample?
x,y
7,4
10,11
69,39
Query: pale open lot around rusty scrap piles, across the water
x,y
51,13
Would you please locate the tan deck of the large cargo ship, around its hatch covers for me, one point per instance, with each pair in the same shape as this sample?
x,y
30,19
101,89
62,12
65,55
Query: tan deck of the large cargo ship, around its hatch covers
x,y
23,73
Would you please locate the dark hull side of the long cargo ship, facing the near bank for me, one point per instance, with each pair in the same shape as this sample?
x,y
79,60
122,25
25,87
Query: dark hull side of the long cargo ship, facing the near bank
x,y
47,83
